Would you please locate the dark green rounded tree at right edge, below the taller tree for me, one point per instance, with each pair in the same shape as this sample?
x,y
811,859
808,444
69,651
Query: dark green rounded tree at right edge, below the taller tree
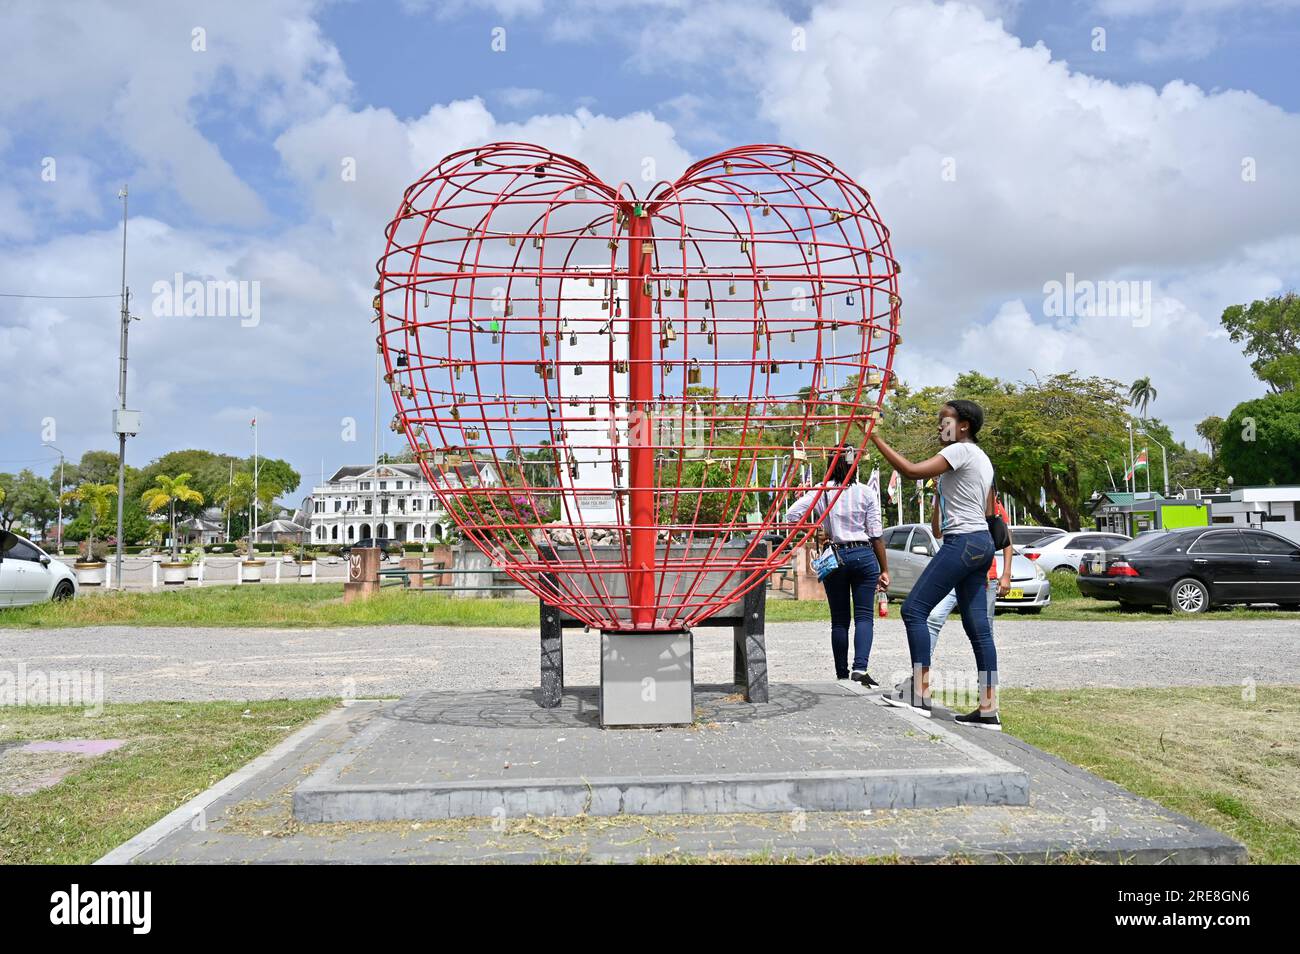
x,y
1262,440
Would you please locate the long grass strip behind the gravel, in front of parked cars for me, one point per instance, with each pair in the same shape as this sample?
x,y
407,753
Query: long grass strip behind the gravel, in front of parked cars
x,y
322,605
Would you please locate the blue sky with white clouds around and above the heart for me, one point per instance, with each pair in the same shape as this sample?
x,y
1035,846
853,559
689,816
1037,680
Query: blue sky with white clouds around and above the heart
x,y
1124,163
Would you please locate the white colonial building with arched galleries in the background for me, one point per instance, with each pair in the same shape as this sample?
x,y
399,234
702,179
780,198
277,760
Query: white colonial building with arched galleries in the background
x,y
392,501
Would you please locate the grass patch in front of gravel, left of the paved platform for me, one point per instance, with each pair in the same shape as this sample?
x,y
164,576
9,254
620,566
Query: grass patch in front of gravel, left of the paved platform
x,y
175,751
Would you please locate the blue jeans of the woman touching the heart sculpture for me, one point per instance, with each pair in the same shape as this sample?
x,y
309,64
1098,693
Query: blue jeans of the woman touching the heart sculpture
x,y
961,565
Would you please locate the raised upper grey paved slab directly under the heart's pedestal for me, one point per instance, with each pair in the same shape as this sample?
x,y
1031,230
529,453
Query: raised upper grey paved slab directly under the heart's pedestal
x,y
812,748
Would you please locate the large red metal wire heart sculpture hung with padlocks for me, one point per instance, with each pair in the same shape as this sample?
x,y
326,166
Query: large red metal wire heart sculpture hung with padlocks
x,y
616,398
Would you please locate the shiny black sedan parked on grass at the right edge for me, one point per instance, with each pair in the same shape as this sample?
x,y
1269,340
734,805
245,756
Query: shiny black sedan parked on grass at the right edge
x,y
1195,570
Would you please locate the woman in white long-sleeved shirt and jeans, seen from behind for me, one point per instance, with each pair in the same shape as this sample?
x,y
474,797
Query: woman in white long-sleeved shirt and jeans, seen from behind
x,y
855,530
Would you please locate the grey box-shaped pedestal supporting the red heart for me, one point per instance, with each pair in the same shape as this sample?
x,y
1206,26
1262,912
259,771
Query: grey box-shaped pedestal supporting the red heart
x,y
647,679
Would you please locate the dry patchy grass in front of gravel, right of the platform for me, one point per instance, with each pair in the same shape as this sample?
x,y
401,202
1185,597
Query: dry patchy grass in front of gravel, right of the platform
x,y
1217,756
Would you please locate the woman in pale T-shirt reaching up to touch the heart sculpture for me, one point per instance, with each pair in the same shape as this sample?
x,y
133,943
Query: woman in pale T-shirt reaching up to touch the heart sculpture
x,y
965,476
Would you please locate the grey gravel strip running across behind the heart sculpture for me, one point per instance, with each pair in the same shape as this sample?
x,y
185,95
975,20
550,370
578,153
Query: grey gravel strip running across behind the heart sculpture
x,y
189,664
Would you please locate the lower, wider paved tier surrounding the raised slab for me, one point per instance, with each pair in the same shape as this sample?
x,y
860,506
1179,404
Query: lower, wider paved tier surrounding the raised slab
x,y
1072,816
